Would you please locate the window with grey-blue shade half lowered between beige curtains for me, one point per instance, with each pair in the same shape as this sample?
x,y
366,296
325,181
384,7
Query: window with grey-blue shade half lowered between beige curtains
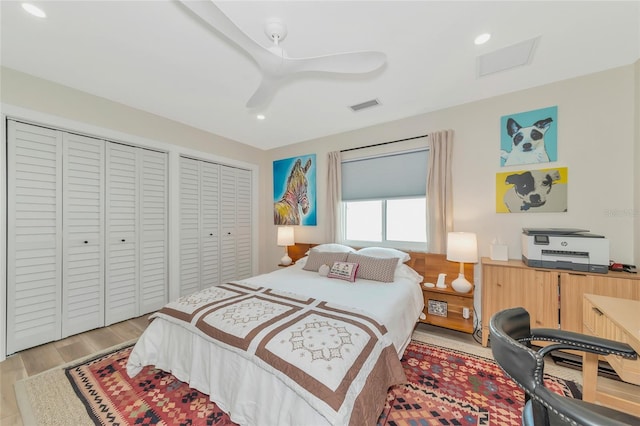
x,y
384,200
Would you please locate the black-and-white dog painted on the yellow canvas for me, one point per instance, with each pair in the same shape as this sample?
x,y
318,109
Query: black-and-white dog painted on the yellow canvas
x,y
536,190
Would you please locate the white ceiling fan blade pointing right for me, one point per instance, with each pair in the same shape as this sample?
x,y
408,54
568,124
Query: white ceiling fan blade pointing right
x,y
349,63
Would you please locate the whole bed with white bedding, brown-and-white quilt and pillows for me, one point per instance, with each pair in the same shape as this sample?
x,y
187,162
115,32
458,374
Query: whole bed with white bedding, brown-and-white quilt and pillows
x,y
293,346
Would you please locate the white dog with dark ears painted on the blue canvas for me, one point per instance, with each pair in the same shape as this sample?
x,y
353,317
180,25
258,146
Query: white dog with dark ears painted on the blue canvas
x,y
527,143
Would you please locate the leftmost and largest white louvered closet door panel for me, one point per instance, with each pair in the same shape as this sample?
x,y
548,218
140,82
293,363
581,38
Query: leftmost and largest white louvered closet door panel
x,y
34,235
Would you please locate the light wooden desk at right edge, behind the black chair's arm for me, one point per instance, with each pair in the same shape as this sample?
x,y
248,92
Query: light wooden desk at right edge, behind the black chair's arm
x,y
616,319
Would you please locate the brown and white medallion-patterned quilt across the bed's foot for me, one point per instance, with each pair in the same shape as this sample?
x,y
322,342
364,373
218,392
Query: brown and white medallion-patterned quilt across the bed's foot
x,y
341,362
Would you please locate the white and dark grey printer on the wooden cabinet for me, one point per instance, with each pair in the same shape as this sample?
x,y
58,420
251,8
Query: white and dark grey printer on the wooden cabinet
x,y
565,248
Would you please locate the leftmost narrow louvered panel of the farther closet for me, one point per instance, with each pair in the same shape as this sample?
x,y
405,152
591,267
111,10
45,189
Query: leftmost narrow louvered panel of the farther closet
x,y
189,226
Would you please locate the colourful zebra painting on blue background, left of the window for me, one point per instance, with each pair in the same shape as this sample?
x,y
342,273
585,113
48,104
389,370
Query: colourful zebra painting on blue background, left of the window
x,y
294,191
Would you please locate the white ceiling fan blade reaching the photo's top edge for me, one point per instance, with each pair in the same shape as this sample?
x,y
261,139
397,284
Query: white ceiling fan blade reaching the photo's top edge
x,y
213,16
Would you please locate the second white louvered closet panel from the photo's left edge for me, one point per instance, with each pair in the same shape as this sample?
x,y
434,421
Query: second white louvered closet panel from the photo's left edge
x,y
83,234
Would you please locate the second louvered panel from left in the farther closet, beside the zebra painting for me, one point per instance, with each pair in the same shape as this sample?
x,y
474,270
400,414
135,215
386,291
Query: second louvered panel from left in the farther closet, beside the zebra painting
x,y
210,219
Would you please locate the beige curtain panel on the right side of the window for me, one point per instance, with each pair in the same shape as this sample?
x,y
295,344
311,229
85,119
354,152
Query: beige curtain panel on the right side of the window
x,y
439,192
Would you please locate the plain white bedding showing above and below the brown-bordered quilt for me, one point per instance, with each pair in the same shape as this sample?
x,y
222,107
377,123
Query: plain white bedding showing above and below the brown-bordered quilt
x,y
249,394
